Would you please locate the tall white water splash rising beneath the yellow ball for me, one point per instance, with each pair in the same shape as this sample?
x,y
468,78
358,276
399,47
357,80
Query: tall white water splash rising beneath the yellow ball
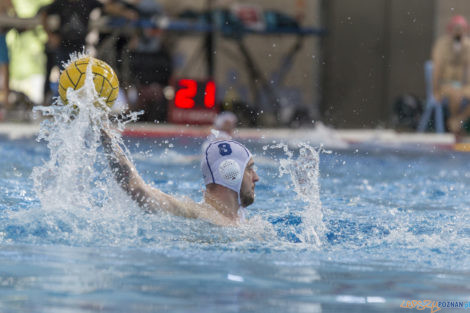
x,y
80,201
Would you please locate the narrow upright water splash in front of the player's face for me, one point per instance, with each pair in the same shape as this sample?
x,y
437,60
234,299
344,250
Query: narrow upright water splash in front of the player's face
x,y
304,172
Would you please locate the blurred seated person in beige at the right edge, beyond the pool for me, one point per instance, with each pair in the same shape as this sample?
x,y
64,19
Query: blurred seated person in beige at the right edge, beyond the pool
x,y
451,81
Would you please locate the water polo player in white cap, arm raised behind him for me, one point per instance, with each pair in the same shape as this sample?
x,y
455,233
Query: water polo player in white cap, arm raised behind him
x,y
229,176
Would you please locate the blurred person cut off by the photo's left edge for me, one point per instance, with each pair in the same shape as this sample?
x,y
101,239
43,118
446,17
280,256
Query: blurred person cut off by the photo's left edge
x,y
6,8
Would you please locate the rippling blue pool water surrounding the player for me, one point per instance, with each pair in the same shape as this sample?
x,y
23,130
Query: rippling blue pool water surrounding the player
x,y
391,226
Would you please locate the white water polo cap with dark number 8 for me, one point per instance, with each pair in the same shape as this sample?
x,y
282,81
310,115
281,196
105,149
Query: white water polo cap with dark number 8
x,y
224,163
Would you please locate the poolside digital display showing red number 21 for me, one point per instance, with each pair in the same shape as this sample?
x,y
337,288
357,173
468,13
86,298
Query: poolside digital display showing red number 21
x,y
194,102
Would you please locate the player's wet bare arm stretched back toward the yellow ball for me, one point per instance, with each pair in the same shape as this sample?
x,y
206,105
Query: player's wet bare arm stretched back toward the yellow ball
x,y
147,197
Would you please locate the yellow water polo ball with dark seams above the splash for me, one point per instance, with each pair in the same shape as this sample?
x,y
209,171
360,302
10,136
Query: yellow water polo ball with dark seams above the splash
x,y
104,78
